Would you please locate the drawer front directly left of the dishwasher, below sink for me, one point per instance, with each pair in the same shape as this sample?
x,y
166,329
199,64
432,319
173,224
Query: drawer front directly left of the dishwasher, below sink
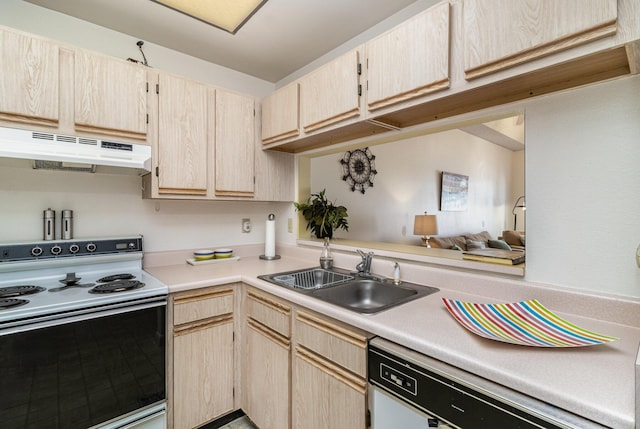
x,y
346,347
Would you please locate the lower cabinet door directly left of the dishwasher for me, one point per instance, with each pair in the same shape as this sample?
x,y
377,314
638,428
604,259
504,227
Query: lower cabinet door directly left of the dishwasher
x,y
325,396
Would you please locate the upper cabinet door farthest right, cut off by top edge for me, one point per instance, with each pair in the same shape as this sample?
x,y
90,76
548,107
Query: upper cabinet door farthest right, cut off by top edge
x,y
503,33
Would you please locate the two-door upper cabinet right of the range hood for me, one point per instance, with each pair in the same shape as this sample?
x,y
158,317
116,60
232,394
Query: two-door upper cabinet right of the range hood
x,y
206,145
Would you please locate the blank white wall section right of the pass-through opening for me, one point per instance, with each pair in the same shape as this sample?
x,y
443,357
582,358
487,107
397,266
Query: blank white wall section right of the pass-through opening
x,y
583,187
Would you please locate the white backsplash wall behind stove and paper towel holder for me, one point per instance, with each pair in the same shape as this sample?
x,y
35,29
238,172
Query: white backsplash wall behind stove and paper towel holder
x,y
111,205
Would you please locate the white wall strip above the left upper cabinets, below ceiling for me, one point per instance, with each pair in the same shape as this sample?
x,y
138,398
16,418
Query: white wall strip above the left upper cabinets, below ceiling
x,y
47,23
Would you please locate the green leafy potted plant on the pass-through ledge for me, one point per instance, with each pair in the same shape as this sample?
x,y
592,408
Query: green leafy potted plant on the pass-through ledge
x,y
322,215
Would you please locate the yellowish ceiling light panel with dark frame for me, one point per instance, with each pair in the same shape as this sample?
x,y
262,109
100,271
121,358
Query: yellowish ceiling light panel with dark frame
x,y
228,15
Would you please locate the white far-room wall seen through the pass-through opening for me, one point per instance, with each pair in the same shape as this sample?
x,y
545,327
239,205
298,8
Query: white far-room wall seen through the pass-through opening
x,y
408,183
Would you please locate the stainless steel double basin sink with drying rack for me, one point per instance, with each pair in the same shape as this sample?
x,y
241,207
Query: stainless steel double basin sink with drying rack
x,y
363,294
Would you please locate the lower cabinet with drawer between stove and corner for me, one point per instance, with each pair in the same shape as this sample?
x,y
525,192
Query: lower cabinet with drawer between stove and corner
x,y
200,376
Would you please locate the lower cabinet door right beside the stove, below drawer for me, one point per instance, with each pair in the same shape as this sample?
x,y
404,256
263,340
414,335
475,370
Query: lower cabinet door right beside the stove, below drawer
x,y
203,373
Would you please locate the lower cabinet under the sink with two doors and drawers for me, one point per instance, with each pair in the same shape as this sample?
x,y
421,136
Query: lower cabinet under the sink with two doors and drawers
x,y
302,370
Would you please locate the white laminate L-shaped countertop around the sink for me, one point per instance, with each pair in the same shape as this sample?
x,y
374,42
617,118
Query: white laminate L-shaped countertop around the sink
x,y
596,382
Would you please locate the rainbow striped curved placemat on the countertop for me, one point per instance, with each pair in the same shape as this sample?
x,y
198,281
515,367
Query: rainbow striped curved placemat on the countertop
x,y
526,323
